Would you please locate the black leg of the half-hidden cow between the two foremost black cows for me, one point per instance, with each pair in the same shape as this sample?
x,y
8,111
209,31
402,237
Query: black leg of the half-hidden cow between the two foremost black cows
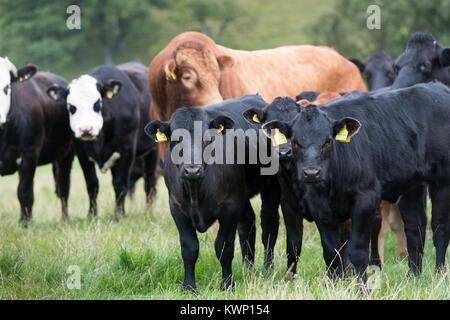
x,y
293,221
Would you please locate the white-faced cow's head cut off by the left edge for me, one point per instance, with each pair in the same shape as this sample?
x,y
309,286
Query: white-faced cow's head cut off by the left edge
x,y
8,75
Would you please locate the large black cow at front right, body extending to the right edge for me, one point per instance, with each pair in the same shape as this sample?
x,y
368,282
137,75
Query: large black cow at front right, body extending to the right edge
x,y
399,140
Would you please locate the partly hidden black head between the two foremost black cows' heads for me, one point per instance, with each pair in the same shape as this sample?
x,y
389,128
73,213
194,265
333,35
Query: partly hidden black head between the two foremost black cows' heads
x,y
282,109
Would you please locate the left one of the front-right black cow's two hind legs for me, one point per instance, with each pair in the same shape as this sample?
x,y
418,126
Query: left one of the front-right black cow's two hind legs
x,y
413,209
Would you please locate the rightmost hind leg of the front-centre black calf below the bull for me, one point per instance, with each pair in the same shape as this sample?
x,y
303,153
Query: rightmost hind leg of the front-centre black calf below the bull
x,y
270,220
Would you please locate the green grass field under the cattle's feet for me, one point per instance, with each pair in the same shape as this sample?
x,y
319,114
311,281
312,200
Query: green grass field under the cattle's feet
x,y
139,258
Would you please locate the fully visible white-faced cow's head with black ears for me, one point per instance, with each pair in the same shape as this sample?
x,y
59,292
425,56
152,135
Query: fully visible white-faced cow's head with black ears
x,y
84,98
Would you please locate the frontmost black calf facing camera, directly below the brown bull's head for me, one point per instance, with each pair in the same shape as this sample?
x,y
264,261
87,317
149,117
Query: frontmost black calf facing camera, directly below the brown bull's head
x,y
202,193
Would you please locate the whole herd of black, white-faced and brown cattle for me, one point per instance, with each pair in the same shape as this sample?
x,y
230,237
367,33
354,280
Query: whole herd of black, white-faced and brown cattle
x,y
353,162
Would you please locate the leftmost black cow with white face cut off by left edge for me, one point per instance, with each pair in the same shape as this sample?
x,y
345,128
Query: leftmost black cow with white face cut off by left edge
x,y
34,131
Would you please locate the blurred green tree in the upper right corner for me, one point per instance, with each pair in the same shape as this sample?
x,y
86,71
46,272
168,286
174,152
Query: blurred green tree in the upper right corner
x,y
345,28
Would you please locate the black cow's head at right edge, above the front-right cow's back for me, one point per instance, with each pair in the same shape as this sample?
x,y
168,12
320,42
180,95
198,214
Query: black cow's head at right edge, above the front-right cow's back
x,y
423,61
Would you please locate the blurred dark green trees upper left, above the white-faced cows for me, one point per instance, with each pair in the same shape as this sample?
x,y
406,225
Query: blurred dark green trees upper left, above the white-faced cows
x,y
37,29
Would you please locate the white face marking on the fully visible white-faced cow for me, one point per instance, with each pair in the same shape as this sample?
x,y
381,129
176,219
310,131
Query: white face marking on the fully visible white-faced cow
x,y
83,95
